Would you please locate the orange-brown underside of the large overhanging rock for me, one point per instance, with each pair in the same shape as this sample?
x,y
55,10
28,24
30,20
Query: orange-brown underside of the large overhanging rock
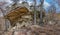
x,y
16,14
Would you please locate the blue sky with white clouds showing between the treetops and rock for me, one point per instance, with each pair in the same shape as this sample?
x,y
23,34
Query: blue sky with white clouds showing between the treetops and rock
x,y
47,3
